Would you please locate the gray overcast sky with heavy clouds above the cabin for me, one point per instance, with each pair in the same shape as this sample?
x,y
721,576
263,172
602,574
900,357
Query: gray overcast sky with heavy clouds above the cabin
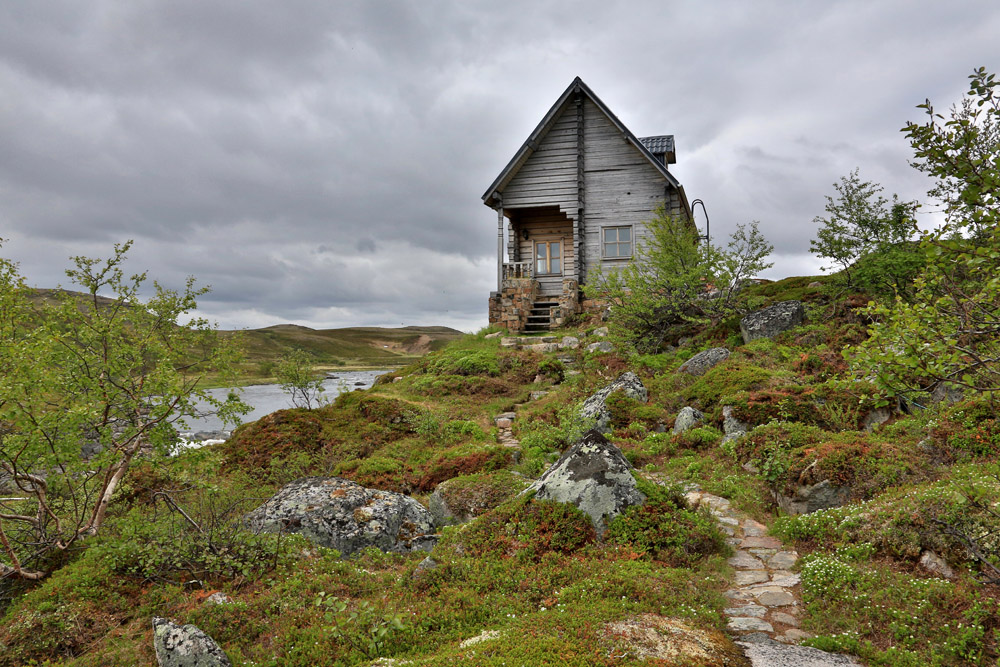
x,y
321,162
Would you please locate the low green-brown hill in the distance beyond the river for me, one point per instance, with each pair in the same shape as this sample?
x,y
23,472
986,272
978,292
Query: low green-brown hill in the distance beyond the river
x,y
371,347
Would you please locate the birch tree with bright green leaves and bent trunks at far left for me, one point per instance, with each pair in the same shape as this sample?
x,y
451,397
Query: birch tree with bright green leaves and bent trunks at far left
x,y
87,384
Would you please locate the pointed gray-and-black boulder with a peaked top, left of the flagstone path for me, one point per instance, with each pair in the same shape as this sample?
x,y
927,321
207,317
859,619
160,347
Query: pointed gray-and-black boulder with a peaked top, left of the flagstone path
x,y
595,477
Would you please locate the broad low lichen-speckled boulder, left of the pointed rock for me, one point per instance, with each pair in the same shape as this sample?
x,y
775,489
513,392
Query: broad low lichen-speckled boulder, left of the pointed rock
x,y
346,516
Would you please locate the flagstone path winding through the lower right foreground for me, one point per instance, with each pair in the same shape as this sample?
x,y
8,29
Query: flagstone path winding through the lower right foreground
x,y
765,598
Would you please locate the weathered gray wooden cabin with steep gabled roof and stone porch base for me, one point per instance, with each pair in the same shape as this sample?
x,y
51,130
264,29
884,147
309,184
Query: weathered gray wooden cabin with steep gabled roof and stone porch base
x,y
576,195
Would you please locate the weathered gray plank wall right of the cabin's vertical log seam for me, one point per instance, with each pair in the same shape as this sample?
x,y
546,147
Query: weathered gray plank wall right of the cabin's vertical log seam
x,y
620,186
